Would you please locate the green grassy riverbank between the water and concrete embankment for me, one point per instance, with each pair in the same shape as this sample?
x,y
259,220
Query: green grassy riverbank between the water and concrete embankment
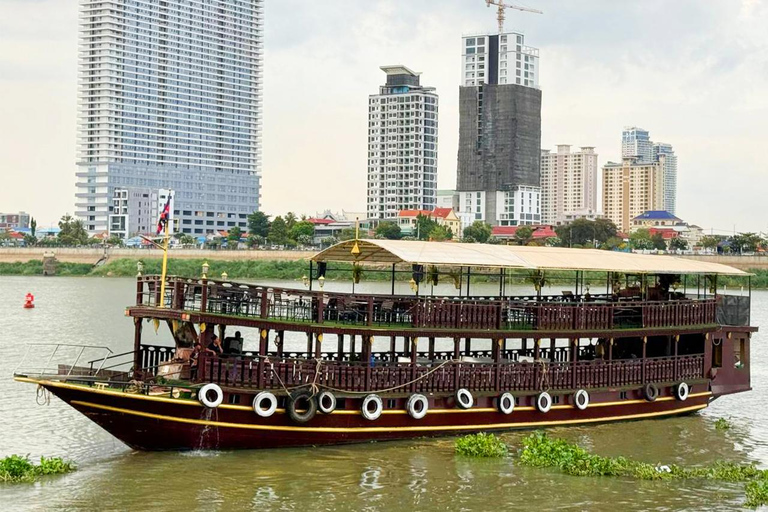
x,y
294,269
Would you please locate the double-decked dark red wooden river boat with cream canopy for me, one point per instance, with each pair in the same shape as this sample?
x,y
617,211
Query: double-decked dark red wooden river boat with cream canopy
x,y
633,337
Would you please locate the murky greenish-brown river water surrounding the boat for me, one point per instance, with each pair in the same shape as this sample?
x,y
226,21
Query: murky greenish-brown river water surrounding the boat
x,y
423,474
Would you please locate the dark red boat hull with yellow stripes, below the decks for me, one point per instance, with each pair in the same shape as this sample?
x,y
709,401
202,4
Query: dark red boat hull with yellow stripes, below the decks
x,y
156,423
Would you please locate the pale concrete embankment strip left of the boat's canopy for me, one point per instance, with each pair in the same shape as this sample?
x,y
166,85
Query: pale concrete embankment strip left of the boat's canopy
x,y
93,255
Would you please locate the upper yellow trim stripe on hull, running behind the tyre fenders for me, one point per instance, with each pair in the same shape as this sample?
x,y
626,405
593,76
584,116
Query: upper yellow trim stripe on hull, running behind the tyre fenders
x,y
183,401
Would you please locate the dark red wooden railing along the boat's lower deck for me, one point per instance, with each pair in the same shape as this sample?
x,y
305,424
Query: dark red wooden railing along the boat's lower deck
x,y
448,376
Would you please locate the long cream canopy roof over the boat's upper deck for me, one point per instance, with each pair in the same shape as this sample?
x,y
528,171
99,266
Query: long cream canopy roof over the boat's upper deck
x,y
519,257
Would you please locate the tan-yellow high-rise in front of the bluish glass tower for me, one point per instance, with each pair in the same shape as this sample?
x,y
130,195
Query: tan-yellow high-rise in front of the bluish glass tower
x,y
631,188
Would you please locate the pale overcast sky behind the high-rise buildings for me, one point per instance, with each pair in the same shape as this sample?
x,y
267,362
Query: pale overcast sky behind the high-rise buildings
x,y
692,72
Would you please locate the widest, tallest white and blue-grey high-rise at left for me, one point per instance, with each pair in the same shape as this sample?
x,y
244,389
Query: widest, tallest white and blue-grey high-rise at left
x,y
170,97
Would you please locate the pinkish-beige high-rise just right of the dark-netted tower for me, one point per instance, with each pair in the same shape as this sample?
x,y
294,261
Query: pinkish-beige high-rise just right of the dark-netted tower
x,y
568,184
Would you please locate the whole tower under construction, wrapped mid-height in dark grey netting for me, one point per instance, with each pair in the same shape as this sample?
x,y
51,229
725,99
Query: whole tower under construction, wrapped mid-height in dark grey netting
x,y
500,130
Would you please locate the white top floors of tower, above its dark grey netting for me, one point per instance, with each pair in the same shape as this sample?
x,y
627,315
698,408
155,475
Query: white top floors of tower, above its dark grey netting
x,y
499,59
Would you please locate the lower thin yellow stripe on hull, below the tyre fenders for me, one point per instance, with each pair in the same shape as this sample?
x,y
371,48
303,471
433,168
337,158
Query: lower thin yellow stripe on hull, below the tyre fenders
x,y
428,428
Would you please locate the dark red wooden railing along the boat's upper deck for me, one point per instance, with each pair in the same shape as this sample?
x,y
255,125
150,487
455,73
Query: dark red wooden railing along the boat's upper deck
x,y
548,313
